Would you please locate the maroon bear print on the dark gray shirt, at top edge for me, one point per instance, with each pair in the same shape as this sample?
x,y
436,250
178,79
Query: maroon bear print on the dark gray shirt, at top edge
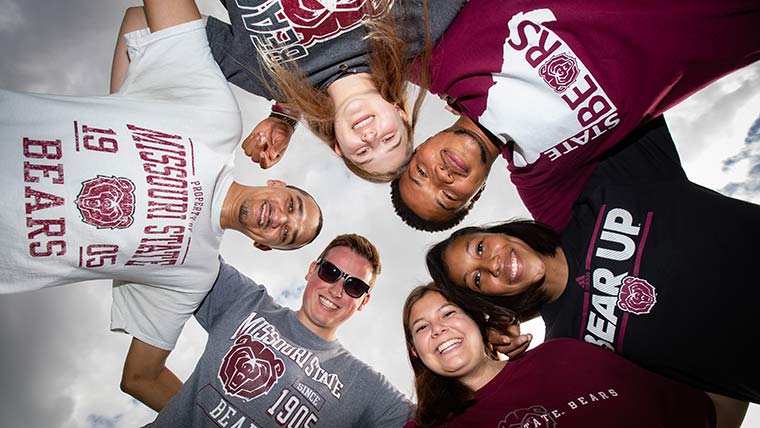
x,y
314,21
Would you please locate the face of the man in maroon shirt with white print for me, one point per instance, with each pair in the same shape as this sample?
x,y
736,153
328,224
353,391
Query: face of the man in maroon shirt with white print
x,y
445,172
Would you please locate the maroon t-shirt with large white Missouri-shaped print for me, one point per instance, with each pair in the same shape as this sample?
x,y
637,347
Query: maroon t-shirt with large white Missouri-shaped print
x,y
565,81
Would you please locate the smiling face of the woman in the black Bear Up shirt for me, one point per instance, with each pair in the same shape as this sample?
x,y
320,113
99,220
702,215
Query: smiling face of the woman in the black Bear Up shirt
x,y
493,264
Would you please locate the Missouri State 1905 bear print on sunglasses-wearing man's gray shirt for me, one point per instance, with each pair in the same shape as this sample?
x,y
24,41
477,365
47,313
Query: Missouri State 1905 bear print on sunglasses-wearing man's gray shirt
x,y
262,365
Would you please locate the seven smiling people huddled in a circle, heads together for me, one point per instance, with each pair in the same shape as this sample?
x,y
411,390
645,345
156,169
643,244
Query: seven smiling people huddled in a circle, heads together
x,y
642,278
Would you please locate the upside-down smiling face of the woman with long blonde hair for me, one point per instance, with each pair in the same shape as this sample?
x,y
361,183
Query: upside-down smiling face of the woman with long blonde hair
x,y
372,134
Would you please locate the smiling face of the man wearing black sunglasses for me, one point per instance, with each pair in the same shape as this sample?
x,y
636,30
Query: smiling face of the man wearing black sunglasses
x,y
326,306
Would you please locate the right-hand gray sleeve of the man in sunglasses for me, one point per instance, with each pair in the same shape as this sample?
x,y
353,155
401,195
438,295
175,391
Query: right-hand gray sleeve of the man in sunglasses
x,y
387,407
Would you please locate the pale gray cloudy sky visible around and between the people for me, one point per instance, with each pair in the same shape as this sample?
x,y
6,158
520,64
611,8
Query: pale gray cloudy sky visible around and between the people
x,y
59,364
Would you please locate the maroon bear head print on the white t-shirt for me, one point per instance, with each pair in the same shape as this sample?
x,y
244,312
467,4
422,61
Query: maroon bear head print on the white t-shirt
x,y
107,202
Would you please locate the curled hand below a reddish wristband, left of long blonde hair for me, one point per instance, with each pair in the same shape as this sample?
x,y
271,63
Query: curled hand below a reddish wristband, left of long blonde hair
x,y
267,143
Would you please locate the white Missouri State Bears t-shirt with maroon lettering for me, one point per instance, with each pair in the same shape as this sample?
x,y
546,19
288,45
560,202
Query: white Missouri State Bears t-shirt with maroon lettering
x,y
128,186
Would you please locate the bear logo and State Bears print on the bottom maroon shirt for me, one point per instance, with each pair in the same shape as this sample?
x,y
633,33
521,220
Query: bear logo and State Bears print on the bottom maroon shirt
x,y
538,416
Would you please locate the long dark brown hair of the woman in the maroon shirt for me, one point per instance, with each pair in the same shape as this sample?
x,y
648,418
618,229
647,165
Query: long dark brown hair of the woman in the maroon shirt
x,y
439,398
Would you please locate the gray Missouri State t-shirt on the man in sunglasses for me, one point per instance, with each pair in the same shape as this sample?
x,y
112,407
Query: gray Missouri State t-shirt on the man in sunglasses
x,y
263,368
